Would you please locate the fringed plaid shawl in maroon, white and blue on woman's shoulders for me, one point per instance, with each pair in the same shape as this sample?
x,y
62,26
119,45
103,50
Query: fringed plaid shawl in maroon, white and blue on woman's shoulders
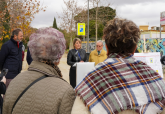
x,y
121,83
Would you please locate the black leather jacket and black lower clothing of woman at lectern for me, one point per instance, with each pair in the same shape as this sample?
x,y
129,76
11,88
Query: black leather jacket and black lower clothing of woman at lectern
x,y
72,58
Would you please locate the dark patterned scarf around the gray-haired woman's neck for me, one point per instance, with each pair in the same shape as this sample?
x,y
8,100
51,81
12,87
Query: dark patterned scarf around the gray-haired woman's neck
x,y
48,62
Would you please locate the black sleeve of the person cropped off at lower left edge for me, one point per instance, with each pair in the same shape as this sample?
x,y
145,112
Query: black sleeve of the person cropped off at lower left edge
x,y
2,91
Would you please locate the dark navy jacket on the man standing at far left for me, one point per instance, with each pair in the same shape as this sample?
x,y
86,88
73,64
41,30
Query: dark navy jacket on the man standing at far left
x,y
11,58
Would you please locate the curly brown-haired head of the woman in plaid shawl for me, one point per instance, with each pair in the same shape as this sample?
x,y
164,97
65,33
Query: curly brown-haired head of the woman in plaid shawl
x,y
121,36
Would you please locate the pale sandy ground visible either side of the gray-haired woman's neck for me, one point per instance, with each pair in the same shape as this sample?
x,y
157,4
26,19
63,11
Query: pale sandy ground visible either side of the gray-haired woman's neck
x,y
63,66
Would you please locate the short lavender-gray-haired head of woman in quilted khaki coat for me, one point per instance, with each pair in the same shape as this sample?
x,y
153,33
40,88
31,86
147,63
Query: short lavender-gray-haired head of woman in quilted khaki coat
x,y
47,44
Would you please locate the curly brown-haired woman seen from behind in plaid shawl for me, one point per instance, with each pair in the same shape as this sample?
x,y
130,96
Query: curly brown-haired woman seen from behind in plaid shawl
x,y
121,84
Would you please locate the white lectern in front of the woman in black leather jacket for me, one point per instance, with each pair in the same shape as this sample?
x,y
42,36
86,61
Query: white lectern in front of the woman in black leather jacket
x,y
82,69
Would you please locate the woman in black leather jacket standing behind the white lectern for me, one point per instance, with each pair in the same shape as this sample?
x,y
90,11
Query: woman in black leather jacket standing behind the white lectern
x,y
74,56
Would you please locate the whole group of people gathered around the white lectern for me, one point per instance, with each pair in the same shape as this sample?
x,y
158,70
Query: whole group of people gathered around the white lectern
x,y
118,84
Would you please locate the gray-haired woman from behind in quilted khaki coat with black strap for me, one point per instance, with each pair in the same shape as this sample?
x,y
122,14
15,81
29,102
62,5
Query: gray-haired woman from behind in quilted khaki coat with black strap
x,y
41,89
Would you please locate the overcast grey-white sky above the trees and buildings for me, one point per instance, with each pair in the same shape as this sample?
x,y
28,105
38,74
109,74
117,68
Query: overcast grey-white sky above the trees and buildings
x,y
142,12
